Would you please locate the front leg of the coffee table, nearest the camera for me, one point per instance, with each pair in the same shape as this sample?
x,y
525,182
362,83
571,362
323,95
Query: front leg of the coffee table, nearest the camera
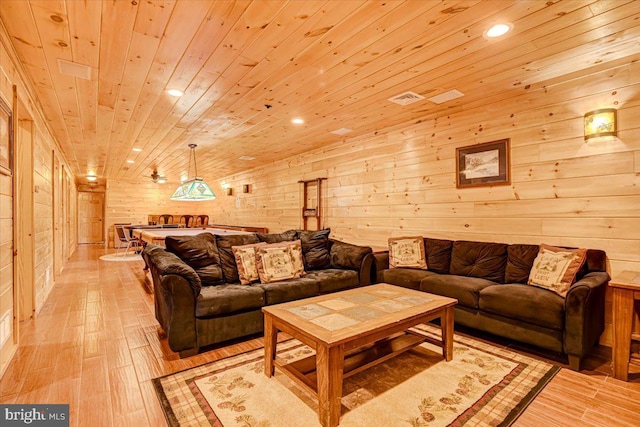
x,y
329,365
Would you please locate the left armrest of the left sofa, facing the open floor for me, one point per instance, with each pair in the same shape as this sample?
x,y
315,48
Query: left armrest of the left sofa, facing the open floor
x,y
176,287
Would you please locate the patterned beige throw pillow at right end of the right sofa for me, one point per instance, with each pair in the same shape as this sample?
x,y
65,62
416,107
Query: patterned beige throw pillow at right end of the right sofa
x,y
555,268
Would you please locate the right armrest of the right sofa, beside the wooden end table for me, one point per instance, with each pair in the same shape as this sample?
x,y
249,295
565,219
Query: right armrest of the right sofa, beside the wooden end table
x,y
584,313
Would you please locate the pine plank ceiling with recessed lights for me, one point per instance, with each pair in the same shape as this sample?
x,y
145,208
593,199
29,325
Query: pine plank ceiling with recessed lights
x,y
248,67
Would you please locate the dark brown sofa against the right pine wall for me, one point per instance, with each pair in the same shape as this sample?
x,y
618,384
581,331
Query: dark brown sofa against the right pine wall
x,y
489,282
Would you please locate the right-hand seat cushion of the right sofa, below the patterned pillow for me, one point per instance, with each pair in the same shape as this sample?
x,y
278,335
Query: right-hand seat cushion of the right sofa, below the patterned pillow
x,y
527,303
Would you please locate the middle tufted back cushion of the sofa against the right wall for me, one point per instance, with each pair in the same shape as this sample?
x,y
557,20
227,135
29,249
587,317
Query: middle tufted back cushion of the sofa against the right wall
x,y
479,259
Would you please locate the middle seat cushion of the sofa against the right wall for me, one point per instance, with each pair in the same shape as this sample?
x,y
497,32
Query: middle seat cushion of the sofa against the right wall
x,y
465,289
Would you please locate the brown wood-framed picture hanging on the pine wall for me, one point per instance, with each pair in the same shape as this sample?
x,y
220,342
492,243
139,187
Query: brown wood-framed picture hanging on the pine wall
x,y
483,164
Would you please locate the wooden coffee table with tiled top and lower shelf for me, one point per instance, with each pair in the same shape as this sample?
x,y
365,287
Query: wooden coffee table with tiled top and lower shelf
x,y
352,331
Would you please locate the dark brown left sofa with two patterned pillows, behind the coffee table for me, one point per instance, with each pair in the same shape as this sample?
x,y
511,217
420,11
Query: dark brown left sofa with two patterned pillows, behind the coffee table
x,y
199,300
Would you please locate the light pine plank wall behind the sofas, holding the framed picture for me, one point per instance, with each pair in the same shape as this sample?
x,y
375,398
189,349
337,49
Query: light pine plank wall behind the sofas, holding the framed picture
x,y
401,181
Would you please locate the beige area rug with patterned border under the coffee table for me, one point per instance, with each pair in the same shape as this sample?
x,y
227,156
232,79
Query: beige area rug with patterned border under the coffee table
x,y
482,385
